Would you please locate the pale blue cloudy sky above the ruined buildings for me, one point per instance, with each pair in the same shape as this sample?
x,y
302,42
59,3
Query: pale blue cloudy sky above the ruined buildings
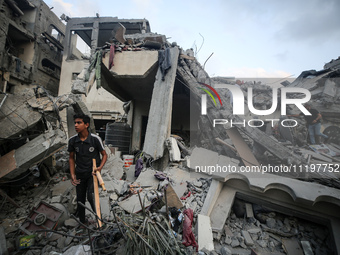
x,y
247,38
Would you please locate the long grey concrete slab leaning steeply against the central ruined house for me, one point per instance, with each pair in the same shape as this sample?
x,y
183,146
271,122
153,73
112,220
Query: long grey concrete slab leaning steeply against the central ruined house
x,y
159,123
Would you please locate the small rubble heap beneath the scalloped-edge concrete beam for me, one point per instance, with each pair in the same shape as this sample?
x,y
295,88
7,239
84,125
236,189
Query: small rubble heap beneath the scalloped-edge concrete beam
x,y
268,232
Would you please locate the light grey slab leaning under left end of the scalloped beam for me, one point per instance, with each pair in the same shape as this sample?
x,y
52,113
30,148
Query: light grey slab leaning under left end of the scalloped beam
x,y
221,209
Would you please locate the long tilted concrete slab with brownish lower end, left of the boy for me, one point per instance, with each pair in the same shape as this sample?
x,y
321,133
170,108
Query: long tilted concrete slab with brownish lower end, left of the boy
x,y
18,161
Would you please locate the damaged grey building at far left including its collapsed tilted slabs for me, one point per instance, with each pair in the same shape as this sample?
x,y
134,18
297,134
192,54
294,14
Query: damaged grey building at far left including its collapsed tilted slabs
x,y
31,46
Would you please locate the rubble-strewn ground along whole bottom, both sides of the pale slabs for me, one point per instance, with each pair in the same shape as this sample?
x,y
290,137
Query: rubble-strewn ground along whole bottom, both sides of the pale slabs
x,y
134,213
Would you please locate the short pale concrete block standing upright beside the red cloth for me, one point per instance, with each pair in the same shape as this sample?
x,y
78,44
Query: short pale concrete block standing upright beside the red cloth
x,y
205,236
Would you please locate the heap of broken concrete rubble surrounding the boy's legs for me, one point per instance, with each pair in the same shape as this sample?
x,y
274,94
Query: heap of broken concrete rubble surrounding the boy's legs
x,y
118,208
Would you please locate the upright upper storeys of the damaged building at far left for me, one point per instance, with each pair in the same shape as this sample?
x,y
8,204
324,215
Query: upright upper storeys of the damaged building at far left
x,y
30,46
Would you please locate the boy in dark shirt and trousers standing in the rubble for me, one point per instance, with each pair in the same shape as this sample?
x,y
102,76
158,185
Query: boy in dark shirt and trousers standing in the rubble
x,y
84,147
